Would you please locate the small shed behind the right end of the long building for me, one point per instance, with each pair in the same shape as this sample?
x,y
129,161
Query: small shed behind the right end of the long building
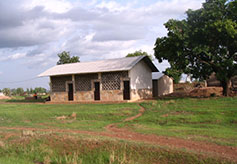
x,y
161,84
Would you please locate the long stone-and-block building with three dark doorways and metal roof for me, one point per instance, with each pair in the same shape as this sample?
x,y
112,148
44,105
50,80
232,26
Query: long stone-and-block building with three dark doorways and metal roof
x,y
120,79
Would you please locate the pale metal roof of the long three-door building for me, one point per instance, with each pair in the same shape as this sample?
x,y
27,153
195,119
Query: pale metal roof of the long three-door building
x,y
120,64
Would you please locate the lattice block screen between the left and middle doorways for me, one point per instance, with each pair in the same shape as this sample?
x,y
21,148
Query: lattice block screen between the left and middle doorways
x,y
83,82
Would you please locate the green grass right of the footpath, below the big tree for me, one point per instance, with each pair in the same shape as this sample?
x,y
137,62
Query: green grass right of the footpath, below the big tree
x,y
212,120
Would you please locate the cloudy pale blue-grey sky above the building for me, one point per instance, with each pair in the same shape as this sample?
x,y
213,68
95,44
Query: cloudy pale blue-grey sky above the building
x,y
33,32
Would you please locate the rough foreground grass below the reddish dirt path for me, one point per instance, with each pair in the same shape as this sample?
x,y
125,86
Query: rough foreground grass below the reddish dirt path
x,y
72,150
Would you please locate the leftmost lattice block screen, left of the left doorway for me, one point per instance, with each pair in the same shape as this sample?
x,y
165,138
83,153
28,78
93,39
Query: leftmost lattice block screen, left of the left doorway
x,y
59,83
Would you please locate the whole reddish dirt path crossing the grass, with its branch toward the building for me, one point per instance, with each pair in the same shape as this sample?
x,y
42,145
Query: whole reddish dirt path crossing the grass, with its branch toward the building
x,y
122,133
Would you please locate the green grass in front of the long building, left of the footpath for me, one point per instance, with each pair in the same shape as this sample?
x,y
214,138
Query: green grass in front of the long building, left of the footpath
x,y
89,116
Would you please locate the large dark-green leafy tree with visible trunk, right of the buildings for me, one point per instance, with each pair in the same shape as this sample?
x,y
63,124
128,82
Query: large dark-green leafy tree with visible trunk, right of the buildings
x,y
203,43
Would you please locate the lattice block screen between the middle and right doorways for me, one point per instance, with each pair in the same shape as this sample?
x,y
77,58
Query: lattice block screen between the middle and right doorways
x,y
112,80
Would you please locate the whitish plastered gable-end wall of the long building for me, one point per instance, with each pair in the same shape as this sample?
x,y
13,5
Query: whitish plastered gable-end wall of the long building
x,y
140,76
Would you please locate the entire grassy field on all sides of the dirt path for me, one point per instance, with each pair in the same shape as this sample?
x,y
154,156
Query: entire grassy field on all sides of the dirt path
x,y
210,120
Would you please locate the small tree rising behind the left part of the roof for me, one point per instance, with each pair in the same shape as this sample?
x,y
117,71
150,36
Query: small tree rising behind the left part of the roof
x,y
64,58
